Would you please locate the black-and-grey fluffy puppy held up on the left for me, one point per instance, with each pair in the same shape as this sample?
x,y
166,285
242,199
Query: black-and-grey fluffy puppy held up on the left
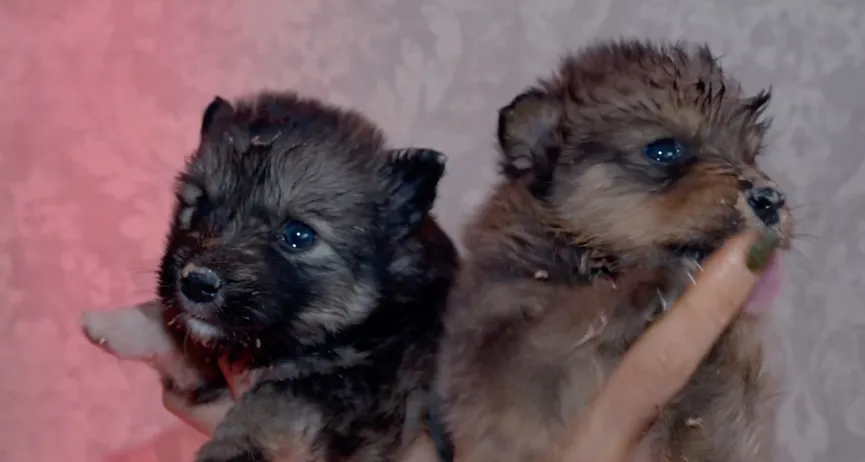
x,y
303,247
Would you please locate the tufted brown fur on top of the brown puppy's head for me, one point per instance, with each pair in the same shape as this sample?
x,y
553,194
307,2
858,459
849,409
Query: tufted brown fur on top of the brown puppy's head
x,y
680,87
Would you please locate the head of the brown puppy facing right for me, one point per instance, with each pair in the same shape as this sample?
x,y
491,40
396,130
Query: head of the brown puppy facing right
x,y
644,151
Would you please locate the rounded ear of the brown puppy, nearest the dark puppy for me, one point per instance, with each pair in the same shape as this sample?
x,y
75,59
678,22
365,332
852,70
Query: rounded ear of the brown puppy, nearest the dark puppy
x,y
529,137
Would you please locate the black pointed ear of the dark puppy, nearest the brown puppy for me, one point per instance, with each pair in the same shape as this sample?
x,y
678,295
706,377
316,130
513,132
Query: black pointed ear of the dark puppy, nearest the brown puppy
x,y
413,175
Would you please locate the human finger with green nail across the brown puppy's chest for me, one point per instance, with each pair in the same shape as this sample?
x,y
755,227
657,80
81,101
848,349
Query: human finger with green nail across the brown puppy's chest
x,y
664,358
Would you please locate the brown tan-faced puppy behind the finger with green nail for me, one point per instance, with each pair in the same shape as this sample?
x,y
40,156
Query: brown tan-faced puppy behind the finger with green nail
x,y
621,172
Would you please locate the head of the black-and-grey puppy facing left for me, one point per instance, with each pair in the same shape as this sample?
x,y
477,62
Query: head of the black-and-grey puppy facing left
x,y
287,217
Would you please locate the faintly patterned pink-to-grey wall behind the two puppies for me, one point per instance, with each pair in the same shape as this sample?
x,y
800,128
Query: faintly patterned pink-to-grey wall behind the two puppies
x,y
100,102
